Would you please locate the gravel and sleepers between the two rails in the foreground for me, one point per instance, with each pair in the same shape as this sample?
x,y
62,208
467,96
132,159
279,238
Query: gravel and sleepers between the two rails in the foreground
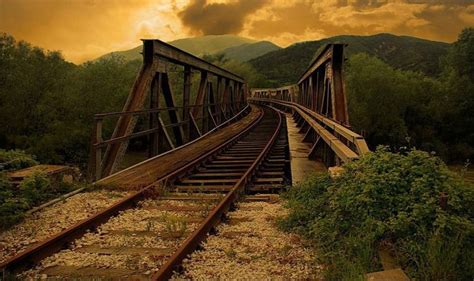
x,y
131,240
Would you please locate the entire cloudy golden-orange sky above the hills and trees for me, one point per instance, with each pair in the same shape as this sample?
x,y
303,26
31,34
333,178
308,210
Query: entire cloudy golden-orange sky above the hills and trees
x,y
86,29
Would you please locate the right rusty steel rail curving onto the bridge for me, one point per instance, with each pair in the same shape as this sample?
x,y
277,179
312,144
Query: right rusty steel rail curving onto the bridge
x,y
200,234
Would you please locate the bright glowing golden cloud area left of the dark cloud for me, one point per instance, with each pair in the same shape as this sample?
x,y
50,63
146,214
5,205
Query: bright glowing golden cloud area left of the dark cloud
x,y
86,29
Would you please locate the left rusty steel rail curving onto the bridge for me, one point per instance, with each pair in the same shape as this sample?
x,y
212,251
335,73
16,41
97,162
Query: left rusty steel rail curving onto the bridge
x,y
55,243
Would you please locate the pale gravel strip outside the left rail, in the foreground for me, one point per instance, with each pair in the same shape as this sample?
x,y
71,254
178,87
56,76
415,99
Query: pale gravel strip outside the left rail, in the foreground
x,y
53,219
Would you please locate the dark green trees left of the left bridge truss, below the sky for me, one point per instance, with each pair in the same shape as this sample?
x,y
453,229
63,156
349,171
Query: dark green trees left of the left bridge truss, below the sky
x,y
47,104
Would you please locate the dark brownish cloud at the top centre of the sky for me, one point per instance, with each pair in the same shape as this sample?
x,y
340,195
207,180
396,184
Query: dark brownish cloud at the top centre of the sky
x,y
218,18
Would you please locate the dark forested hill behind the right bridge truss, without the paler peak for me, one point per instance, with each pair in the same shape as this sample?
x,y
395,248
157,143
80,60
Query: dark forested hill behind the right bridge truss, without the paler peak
x,y
285,66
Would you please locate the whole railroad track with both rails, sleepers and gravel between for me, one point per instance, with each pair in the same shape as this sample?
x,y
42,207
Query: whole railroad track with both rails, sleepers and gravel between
x,y
161,225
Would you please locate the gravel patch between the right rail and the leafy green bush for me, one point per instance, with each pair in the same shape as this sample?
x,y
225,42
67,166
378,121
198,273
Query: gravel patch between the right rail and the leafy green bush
x,y
251,247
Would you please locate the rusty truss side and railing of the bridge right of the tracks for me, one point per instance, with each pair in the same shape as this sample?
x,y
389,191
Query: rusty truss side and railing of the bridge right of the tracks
x,y
318,103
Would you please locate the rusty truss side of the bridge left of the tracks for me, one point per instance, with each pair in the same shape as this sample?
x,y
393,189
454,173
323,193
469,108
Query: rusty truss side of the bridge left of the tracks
x,y
217,96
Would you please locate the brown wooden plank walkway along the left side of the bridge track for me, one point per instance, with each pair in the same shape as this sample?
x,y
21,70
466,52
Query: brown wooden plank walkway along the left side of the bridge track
x,y
147,172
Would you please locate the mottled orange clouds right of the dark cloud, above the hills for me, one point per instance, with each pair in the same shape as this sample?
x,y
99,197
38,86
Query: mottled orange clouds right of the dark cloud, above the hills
x,y
440,20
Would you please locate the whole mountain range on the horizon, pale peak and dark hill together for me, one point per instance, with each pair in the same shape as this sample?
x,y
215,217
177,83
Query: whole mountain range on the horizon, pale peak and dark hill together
x,y
285,65
